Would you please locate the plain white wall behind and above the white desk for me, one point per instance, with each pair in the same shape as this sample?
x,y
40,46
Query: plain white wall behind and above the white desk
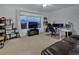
x,y
66,14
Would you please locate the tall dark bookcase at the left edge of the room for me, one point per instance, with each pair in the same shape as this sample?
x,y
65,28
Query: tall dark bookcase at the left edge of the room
x,y
2,31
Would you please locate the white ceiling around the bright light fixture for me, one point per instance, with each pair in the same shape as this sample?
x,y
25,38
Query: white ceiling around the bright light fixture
x,y
39,7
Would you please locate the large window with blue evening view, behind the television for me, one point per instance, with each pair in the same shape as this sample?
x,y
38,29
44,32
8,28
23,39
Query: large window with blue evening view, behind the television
x,y
33,22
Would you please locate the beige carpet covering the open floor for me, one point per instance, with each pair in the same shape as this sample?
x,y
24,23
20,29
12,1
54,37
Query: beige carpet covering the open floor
x,y
27,45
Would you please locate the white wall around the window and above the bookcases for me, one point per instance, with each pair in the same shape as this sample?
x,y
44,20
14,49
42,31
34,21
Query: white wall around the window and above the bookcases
x,y
11,12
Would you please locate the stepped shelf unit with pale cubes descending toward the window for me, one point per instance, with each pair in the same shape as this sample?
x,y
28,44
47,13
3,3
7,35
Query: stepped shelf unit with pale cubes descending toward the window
x,y
11,32
